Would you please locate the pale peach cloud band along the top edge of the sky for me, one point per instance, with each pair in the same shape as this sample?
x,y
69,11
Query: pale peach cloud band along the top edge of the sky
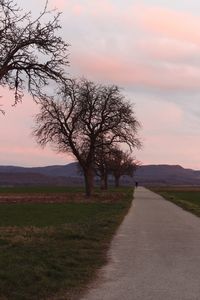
x,y
164,22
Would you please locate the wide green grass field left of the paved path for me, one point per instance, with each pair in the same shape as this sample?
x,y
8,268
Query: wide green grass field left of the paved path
x,y
52,250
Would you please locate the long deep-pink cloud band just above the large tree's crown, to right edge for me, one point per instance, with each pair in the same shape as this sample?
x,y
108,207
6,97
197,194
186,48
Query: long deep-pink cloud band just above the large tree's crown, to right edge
x,y
148,75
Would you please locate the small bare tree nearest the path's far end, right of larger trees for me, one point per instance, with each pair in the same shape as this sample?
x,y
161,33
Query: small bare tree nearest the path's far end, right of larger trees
x,y
121,163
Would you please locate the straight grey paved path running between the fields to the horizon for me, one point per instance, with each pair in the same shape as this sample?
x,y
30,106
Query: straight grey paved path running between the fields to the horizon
x,y
155,254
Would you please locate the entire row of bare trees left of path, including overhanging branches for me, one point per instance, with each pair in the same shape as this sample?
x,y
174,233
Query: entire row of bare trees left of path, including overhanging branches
x,y
90,120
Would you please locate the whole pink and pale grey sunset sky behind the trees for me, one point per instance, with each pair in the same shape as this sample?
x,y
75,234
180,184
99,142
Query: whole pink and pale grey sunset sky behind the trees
x,y
151,49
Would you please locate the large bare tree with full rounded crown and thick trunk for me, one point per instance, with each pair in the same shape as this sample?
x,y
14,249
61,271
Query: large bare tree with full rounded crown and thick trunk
x,y
83,113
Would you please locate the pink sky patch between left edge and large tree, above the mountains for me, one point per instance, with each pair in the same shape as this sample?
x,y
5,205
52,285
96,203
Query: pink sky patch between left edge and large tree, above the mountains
x,y
17,145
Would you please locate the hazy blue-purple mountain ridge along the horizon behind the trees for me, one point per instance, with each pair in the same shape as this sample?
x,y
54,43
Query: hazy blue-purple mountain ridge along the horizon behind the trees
x,y
69,175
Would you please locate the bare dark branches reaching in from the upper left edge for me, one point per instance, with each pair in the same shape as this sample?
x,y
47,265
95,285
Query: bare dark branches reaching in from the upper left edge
x,y
31,52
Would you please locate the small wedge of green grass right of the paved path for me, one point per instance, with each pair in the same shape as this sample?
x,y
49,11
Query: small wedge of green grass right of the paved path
x,y
186,197
